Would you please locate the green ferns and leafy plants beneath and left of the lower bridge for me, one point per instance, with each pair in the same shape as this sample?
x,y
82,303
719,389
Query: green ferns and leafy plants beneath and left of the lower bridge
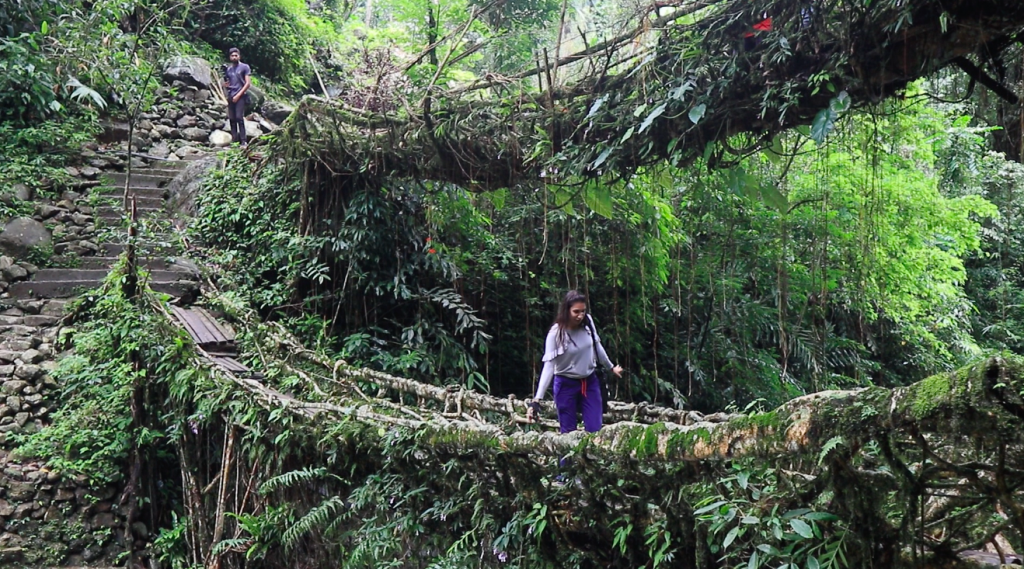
x,y
339,492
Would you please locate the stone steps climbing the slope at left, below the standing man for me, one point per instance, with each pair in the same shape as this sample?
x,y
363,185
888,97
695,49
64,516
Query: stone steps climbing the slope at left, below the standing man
x,y
149,187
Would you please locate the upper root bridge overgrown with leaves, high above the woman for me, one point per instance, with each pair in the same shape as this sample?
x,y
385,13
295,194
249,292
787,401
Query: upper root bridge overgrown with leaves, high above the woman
x,y
676,87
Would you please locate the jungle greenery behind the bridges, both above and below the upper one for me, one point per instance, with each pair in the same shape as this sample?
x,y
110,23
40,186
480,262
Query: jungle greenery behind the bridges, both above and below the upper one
x,y
879,256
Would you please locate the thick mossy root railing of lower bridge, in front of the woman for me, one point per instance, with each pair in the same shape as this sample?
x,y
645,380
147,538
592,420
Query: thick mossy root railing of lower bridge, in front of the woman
x,y
982,403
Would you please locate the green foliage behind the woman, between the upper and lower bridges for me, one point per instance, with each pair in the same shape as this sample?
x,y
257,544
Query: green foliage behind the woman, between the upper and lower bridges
x,y
798,271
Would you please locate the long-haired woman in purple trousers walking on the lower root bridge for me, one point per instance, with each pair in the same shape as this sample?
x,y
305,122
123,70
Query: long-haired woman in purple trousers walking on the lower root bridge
x,y
572,354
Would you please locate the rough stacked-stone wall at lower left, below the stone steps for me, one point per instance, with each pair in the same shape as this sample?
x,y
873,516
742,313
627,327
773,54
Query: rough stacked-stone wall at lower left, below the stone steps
x,y
47,519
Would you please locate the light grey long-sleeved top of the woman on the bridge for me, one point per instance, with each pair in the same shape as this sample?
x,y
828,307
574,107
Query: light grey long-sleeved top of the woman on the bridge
x,y
572,359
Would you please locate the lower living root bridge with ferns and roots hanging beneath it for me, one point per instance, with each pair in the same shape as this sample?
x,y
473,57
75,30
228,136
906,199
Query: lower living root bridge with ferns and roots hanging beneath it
x,y
934,468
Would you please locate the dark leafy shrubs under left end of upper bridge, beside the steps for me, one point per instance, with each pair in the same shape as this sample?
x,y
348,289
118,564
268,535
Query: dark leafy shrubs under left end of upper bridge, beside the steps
x,y
390,260
